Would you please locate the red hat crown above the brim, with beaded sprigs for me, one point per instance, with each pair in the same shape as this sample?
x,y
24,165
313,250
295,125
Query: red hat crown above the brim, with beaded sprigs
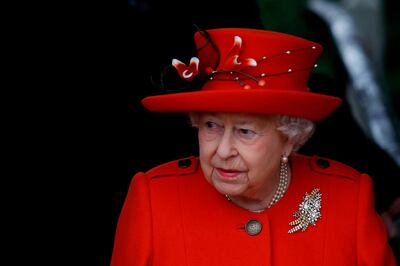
x,y
282,61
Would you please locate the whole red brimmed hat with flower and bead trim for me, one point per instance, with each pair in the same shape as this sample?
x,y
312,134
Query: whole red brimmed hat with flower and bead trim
x,y
250,71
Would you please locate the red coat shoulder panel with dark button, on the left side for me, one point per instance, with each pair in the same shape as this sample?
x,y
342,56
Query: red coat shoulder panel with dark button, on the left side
x,y
183,166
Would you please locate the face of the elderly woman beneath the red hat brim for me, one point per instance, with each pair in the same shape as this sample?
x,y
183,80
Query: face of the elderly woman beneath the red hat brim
x,y
240,153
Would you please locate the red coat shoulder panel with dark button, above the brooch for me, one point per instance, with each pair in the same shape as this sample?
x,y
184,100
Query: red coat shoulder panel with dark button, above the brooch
x,y
326,166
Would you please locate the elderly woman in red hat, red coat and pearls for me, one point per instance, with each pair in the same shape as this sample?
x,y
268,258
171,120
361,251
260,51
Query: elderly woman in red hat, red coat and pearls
x,y
249,198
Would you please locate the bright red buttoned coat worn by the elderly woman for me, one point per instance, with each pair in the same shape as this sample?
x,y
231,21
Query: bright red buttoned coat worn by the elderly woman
x,y
173,216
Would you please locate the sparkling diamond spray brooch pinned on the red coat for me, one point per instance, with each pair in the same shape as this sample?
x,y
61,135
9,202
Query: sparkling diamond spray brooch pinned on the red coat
x,y
308,213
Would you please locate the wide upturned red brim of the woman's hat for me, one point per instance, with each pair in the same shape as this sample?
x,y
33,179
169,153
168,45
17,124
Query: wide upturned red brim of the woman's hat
x,y
308,105
